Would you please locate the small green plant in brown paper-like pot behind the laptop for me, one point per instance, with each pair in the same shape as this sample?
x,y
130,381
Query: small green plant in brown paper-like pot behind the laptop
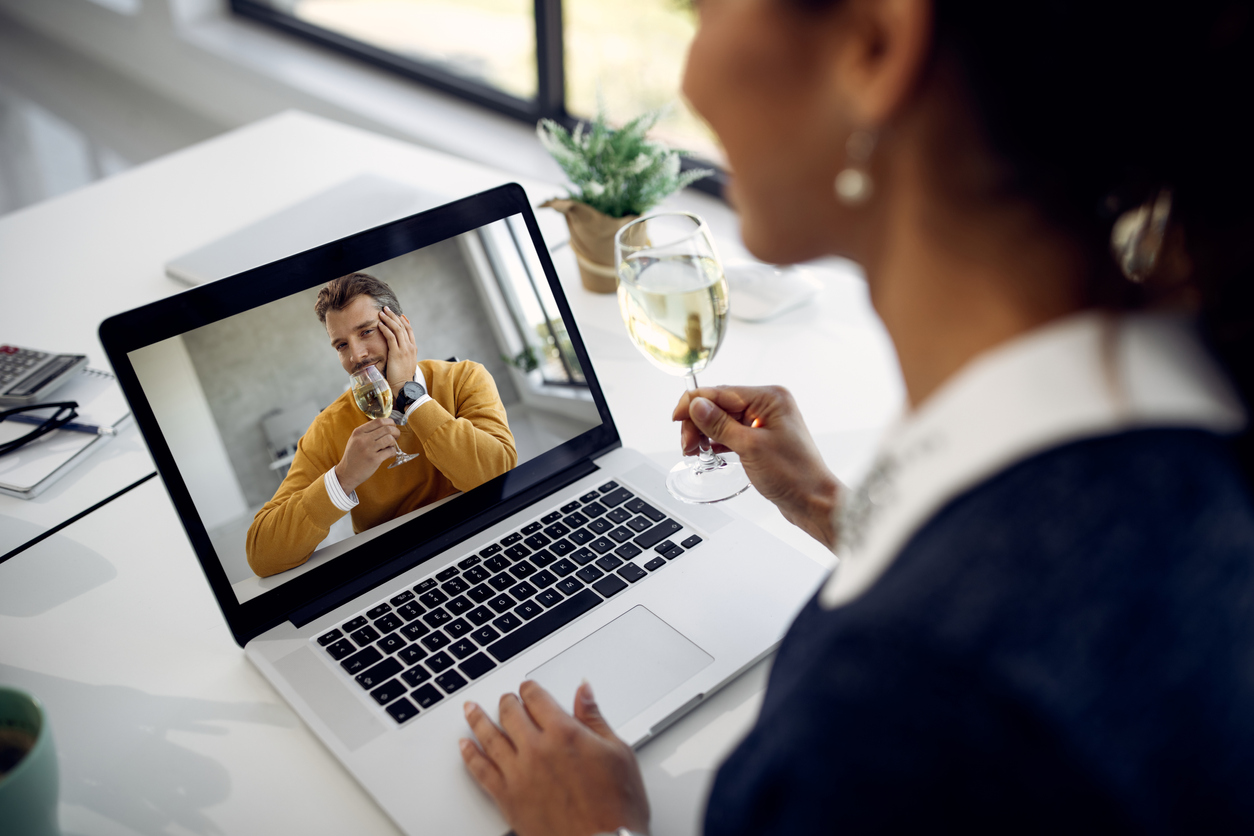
x,y
616,175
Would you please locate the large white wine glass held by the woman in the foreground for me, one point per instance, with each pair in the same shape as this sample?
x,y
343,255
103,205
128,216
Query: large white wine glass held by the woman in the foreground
x,y
674,299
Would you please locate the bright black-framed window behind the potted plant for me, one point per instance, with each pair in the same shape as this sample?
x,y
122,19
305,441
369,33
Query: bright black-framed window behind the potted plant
x,y
525,58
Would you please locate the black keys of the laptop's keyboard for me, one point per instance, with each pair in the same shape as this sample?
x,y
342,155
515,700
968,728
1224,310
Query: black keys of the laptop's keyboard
x,y
424,642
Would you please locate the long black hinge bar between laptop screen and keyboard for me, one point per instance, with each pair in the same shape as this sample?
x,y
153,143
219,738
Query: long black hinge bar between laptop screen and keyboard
x,y
319,607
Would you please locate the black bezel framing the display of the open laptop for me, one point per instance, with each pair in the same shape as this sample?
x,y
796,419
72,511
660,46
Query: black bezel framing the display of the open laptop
x,y
397,551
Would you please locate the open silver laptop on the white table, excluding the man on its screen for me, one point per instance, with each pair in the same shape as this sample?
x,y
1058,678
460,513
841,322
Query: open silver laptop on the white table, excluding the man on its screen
x,y
574,565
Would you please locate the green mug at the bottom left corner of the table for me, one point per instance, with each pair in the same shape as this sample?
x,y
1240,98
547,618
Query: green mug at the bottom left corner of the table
x,y
28,768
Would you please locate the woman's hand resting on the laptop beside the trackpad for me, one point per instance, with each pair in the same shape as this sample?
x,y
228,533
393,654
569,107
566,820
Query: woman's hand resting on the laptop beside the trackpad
x,y
552,774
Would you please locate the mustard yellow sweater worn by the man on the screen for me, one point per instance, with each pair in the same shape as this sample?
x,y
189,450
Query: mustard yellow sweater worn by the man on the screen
x,y
462,434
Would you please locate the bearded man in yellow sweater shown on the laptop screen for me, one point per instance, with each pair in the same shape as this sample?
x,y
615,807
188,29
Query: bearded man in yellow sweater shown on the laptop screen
x,y
450,413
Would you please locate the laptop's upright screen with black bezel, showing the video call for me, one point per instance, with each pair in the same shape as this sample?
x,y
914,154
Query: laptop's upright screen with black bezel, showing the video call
x,y
244,394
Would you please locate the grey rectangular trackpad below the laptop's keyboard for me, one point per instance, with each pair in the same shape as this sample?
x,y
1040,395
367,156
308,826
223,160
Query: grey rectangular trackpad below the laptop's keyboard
x,y
631,664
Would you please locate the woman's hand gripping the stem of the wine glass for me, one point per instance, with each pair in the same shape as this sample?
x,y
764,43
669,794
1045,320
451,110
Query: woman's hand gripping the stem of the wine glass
x,y
764,428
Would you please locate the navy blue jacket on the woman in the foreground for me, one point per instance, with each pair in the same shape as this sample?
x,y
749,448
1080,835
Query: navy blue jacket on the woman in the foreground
x,y
1069,646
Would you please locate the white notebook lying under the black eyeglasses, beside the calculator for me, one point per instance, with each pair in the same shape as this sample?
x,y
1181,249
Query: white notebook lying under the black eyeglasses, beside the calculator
x,y
33,468
